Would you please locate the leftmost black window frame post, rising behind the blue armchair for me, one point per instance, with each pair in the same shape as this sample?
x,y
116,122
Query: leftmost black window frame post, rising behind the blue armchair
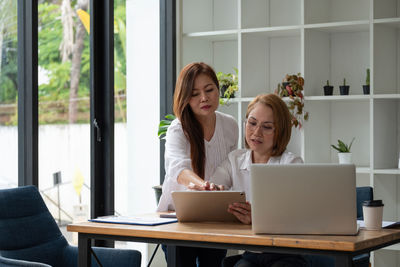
x,y
27,92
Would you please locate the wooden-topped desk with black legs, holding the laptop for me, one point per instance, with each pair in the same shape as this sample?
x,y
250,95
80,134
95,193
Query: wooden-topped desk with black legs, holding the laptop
x,y
232,236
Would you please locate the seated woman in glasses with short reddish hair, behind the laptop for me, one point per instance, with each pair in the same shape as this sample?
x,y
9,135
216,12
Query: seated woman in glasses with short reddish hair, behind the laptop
x,y
268,131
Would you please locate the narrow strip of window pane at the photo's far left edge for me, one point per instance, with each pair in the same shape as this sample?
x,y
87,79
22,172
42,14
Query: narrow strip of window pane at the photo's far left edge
x,y
8,94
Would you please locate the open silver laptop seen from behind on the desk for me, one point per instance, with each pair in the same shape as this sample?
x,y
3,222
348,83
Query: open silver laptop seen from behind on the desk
x,y
304,199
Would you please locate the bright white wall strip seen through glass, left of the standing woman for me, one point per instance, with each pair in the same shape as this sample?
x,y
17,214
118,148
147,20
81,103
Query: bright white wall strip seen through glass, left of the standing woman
x,y
143,86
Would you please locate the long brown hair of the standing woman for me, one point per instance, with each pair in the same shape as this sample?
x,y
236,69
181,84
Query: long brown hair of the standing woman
x,y
190,125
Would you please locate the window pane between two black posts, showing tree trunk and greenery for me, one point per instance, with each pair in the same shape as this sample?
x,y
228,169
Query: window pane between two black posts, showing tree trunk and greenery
x,y
64,109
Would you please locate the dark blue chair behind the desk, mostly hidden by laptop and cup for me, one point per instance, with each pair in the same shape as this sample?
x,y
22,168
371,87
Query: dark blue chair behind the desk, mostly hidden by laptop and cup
x,y
363,193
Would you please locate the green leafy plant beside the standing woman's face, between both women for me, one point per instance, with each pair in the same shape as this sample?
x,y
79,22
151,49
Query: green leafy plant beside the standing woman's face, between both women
x,y
228,85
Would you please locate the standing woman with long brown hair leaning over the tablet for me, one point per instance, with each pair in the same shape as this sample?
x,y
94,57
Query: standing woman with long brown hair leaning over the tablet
x,y
197,142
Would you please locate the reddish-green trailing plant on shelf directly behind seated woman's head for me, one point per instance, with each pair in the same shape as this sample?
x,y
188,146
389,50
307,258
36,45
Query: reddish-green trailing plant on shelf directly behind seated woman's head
x,y
292,87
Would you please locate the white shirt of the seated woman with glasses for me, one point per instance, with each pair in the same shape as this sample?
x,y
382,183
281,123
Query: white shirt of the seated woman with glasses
x,y
234,172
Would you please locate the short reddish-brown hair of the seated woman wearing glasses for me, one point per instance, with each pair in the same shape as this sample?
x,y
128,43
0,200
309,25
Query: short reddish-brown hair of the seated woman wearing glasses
x,y
282,121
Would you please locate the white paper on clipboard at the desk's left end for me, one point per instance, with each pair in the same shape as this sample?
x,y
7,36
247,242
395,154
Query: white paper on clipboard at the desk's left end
x,y
136,220
